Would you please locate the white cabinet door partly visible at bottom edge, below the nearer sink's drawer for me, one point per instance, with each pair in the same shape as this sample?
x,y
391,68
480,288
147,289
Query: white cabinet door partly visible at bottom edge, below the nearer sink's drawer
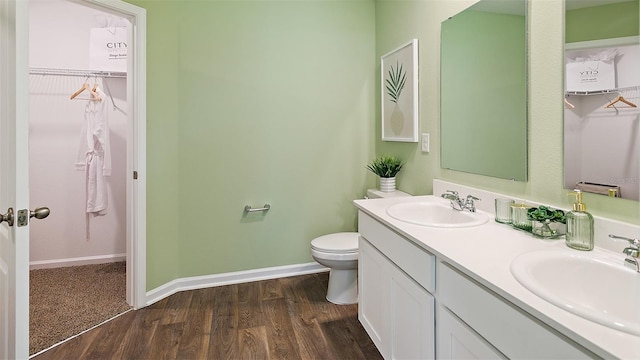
x,y
457,341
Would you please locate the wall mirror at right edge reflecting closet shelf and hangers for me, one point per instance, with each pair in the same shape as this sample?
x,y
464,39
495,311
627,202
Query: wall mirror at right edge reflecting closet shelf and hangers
x,y
602,97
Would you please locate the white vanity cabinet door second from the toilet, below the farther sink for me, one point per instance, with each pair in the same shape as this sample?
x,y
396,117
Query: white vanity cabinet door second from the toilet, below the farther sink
x,y
412,319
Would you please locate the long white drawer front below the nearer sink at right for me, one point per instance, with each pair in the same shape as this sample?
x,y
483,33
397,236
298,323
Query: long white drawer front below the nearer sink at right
x,y
514,332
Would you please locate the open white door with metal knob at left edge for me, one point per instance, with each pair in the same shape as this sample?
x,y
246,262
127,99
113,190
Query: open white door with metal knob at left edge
x,y
14,179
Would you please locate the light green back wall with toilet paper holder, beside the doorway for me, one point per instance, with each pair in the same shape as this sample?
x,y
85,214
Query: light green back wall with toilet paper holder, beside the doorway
x,y
254,102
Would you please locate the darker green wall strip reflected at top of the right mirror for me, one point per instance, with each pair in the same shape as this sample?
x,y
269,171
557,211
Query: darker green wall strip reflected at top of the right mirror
x,y
602,22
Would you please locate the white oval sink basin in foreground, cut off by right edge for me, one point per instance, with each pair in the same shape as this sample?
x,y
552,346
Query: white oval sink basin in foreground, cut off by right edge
x,y
594,285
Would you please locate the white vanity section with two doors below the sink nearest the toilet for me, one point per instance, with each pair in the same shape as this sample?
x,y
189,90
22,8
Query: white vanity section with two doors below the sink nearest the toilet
x,y
396,309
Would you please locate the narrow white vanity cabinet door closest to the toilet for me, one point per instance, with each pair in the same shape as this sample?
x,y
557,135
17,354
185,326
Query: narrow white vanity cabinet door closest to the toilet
x,y
373,295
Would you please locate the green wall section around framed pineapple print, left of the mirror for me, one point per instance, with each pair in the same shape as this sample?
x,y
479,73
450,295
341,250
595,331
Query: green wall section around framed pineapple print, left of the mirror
x,y
396,22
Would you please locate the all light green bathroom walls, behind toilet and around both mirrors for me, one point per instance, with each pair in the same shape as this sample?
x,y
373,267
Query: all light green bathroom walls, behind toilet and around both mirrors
x,y
267,101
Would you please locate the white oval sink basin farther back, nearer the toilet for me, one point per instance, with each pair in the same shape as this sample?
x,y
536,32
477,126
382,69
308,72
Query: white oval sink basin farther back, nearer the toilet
x,y
434,214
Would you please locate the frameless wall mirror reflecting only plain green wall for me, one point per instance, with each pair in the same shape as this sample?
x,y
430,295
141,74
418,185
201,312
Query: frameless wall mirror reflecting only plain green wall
x,y
483,120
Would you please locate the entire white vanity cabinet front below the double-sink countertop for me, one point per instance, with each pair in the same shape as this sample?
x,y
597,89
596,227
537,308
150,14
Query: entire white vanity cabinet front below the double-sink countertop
x,y
407,318
